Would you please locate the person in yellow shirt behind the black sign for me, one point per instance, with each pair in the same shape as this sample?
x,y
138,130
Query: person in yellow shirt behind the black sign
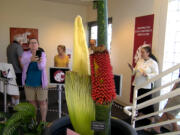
x,y
61,59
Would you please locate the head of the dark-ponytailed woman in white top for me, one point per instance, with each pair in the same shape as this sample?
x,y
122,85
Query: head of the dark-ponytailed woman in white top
x,y
146,53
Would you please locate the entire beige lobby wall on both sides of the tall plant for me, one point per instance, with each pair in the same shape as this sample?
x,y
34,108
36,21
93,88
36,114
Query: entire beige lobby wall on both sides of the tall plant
x,y
55,23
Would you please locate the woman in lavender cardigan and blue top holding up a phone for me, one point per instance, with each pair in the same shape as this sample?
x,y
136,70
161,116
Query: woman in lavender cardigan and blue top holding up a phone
x,y
34,77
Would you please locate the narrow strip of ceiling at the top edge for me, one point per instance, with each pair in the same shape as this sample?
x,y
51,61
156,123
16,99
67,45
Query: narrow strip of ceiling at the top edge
x,y
76,2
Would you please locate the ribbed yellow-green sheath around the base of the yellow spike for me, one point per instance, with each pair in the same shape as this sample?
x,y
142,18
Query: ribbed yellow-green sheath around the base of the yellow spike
x,y
79,101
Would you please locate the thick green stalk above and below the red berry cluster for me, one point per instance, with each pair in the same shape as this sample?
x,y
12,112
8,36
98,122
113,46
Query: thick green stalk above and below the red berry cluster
x,y
103,111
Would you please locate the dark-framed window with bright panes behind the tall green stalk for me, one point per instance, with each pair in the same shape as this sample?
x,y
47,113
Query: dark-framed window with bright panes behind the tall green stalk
x,y
92,28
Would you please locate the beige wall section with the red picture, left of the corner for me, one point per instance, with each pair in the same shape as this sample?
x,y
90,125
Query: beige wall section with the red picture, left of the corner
x,y
54,21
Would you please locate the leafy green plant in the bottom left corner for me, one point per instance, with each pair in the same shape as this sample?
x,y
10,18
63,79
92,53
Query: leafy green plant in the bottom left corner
x,y
22,121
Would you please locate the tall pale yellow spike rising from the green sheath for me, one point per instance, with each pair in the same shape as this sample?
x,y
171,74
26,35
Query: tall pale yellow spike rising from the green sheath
x,y
80,50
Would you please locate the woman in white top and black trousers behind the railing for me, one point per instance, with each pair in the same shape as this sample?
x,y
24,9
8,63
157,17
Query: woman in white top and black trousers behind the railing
x,y
145,69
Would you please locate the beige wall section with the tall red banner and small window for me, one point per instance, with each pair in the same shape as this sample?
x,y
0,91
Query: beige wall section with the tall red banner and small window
x,y
123,13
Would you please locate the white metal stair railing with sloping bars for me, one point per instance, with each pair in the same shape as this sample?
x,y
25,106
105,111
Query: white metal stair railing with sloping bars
x,y
132,110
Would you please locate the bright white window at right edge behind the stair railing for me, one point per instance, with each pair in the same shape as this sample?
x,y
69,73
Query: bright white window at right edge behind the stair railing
x,y
172,44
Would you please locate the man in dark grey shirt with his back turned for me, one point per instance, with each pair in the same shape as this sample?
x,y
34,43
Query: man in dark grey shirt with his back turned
x,y
14,53
